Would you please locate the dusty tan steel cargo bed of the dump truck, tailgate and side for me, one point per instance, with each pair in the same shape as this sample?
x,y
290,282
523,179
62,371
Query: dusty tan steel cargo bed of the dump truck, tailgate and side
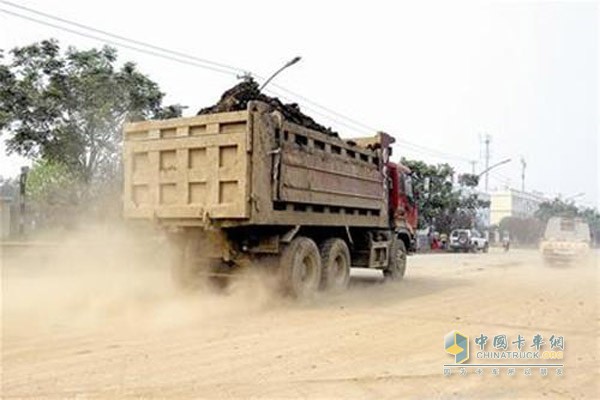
x,y
249,167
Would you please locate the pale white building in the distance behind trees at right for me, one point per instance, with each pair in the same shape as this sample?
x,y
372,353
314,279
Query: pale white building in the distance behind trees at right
x,y
513,203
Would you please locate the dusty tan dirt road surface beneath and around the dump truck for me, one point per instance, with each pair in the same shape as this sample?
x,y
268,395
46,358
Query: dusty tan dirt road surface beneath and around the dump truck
x,y
83,320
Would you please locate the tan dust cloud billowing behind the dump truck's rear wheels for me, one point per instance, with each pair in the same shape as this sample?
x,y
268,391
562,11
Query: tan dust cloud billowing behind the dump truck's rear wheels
x,y
112,277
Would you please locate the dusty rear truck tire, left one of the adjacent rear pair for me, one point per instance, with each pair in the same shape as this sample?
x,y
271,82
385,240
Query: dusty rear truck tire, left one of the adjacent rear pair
x,y
301,268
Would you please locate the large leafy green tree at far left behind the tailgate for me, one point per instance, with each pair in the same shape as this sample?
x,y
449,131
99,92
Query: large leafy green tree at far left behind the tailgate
x,y
68,108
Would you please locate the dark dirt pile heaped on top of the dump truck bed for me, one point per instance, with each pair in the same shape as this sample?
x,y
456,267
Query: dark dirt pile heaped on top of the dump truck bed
x,y
237,98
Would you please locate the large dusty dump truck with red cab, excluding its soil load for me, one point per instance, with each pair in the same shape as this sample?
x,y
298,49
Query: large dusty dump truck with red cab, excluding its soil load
x,y
243,188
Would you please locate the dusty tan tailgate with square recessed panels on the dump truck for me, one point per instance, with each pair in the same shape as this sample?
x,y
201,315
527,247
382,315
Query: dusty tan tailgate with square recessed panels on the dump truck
x,y
187,167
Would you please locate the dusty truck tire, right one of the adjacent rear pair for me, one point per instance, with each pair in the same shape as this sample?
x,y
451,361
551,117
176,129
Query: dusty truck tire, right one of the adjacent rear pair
x,y
335,257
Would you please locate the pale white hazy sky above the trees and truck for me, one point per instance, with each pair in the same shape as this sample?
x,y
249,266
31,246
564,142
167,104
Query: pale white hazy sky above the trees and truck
x,y
432,74
